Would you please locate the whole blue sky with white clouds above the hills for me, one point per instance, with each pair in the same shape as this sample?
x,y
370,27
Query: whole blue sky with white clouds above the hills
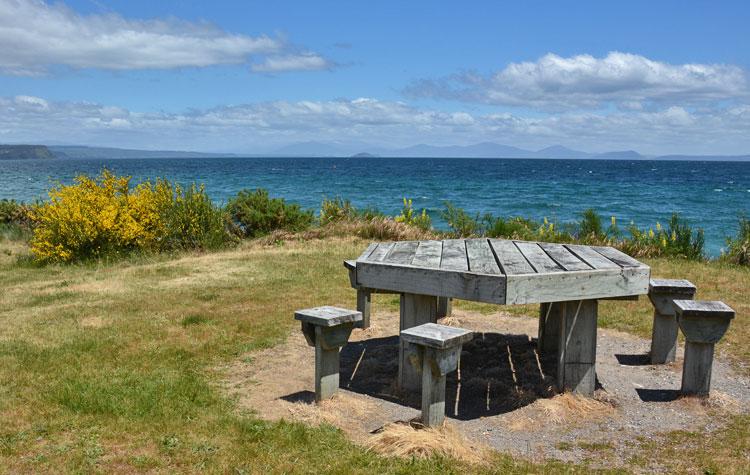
x,y
658,77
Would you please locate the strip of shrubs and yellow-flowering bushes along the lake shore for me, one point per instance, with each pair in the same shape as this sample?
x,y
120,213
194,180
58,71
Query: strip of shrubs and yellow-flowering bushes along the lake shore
x,y
109,217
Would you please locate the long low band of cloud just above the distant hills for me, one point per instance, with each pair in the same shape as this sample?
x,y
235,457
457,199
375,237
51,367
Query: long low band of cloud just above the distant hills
x,y
263,126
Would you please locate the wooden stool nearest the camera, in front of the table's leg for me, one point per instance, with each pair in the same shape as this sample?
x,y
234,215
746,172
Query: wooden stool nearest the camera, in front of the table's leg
x,y
438,350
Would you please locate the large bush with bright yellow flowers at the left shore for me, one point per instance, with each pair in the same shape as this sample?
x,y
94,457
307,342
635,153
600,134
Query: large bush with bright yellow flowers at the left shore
x,y
106,216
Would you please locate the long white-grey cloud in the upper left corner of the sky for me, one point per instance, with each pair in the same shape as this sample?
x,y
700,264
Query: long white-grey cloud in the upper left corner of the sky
x,y
36,36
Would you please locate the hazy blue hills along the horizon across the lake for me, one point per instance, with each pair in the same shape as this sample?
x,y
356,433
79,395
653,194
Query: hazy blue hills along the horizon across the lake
x,y
322,149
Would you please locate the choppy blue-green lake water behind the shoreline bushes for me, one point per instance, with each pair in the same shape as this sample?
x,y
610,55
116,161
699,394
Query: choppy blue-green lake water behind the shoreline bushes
x,y
711,195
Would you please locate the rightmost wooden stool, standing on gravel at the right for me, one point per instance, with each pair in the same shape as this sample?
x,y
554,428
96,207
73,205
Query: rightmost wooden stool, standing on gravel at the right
x,y
703,323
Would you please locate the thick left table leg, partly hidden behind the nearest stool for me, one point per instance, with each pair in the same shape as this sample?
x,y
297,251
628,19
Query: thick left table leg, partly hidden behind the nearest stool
x,y
415,310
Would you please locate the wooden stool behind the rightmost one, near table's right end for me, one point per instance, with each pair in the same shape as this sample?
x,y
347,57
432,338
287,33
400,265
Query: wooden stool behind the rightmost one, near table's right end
x,y
662,292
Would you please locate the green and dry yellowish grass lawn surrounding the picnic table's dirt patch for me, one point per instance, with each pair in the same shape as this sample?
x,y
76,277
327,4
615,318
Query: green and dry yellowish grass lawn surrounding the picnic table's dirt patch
x,y
116,367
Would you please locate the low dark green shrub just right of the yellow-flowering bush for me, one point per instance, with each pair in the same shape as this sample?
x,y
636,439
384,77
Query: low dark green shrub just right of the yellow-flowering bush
x,y
255,214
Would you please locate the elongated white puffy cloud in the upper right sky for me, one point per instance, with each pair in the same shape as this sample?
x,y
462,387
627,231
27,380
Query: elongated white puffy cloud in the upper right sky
x,y
557,83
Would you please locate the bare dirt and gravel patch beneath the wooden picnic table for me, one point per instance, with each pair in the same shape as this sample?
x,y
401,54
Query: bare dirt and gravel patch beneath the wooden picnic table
x,y
503,395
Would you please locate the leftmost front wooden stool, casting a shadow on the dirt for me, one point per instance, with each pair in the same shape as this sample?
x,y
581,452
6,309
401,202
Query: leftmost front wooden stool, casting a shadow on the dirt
x,y
327,329
